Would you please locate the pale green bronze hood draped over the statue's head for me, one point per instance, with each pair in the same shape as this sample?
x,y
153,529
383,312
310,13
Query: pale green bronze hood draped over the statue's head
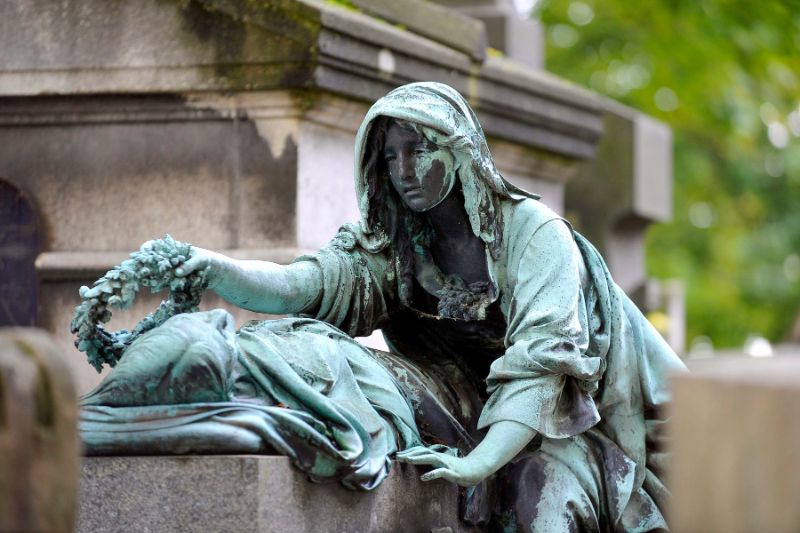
x,y
445,117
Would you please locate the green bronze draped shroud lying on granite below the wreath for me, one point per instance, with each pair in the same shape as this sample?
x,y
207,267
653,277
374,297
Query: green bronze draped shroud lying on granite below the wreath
x,y
296,386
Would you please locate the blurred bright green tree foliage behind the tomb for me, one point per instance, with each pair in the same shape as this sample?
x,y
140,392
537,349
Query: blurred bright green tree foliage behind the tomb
x,y
725,75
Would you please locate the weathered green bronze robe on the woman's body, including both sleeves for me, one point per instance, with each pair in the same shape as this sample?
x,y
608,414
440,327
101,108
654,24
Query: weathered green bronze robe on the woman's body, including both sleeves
x,y
579,364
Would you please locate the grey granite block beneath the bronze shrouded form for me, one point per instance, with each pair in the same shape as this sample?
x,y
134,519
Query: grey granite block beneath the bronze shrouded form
x,y
245,493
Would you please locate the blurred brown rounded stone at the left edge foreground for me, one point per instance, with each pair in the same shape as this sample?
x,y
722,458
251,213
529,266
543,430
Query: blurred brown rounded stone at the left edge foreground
x,y
38,436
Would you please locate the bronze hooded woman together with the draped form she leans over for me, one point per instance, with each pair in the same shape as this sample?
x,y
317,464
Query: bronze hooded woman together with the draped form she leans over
x,y
509,341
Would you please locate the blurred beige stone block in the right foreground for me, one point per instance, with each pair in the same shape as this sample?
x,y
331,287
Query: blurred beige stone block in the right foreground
x,y
736,438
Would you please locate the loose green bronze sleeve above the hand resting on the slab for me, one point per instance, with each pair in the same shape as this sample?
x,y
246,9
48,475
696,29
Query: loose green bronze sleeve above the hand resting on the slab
x,y
544,377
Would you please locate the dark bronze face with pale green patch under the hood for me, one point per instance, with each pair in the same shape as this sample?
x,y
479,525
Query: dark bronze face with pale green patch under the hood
x,y
421,172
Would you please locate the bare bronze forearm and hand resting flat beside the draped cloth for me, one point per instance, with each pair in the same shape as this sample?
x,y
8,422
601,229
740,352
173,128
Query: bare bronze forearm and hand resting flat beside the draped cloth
x,y
504,440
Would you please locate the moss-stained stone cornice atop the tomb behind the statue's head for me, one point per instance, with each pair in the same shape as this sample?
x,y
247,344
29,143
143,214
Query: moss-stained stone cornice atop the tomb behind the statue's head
x,y
308,47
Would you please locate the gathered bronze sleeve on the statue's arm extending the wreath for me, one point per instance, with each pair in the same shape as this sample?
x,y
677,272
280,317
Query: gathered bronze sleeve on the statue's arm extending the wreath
x,y
357,285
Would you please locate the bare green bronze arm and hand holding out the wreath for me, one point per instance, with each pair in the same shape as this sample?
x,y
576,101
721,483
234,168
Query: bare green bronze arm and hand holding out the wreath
x,y
258,286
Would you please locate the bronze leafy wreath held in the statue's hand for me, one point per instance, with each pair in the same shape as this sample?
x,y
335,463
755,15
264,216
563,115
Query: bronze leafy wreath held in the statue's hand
x,y
152,266
